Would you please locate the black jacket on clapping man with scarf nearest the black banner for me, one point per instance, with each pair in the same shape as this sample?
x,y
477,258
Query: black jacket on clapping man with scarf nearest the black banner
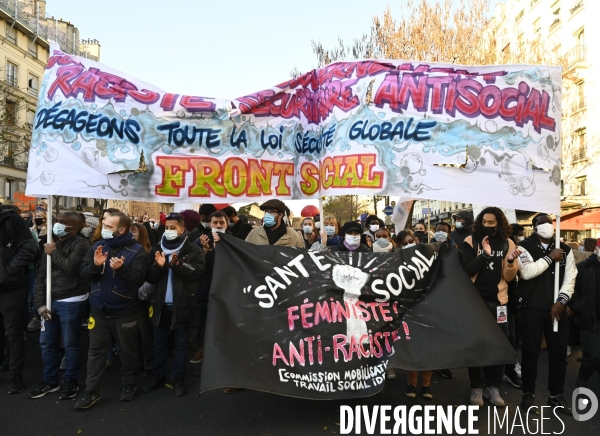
x,y
187,274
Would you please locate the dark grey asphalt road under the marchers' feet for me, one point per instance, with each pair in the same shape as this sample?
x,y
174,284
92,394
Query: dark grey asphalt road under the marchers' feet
x,y
244,413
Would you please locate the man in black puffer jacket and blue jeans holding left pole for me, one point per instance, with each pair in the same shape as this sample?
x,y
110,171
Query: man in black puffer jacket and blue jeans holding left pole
x,y
69,294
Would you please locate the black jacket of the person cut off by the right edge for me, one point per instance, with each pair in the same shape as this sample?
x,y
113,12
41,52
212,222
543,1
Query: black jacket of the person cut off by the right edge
x,y
587,291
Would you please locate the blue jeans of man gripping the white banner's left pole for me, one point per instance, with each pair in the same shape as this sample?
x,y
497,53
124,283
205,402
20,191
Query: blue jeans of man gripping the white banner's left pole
x,y
66,320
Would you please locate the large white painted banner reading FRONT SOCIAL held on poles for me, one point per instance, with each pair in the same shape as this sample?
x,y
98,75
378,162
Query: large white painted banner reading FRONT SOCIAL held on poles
x,y
414,129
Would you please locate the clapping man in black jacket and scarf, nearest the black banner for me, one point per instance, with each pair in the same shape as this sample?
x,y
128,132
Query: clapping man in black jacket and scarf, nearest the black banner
x,y
178,267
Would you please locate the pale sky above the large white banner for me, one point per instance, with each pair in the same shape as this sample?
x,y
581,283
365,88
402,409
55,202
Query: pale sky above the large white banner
x,y
222,49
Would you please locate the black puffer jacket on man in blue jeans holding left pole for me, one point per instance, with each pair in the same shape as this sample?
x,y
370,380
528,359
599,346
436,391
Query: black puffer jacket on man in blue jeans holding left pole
x,y
66,261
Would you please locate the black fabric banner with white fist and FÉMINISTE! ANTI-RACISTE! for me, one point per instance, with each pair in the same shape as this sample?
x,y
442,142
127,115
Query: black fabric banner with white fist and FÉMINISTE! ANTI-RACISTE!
x,y
328,325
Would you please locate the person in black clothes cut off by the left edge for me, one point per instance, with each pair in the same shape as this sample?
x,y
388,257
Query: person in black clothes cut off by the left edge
x,y
17,251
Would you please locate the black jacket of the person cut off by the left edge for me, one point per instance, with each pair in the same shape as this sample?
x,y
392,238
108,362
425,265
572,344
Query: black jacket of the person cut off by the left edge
x,y
17,250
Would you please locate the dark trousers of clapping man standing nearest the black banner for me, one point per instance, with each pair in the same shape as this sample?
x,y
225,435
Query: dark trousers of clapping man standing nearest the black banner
x,y
161,343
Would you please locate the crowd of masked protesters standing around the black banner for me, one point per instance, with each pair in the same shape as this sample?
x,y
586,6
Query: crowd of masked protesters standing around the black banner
x,y
141,287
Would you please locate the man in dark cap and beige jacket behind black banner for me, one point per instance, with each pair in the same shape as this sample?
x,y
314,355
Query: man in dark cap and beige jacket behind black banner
x,y
274,231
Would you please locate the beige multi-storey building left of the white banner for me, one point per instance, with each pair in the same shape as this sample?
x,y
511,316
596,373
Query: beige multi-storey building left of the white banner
x,y
25,34
